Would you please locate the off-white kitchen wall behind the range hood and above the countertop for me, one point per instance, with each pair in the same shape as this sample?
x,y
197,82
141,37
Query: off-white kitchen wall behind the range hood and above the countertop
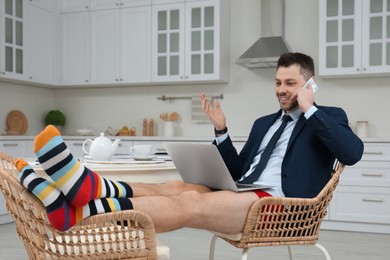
x,y
248,95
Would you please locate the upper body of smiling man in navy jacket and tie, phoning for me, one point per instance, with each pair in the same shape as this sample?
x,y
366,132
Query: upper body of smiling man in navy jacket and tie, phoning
x,y
301,159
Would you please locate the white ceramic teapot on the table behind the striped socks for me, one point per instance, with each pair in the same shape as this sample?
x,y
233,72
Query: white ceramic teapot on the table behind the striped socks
x,y
101,149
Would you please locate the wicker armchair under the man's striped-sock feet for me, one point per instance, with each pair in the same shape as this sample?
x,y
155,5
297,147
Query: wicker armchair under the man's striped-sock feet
x,y
120,235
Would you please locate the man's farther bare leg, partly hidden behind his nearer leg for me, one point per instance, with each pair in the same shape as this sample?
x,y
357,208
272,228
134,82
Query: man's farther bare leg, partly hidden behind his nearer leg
x,y
165,189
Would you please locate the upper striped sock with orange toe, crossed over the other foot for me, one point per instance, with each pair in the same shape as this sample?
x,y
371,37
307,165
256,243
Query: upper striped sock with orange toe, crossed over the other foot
x,y
79,184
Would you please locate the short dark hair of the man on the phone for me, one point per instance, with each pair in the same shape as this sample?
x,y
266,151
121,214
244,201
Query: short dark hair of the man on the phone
x,y
304,61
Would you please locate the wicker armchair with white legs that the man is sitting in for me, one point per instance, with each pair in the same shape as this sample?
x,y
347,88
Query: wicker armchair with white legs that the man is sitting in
x,y
273,221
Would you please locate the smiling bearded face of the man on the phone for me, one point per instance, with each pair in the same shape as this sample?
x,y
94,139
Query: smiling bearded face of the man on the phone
x,y
287,81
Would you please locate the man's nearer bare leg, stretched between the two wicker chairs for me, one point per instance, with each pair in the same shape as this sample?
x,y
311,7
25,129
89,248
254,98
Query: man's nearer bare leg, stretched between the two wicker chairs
x,y
221,211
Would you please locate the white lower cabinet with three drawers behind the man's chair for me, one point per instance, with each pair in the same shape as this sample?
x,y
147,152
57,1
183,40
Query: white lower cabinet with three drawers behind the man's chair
x,y
361,201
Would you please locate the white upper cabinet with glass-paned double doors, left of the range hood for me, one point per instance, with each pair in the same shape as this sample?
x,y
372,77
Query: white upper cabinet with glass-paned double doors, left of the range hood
x,y
187,39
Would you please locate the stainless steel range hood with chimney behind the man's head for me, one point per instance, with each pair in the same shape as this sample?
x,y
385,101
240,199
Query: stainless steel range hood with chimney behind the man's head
x,y
265,52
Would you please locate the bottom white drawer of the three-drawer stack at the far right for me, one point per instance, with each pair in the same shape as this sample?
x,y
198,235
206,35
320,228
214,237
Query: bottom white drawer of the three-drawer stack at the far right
x,y
359,204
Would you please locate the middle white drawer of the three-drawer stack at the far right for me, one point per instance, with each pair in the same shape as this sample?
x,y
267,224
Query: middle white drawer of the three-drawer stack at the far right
x,y
367,173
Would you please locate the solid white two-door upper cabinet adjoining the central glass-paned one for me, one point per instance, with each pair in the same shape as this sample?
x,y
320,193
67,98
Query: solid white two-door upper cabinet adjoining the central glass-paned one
x,y
121,45
